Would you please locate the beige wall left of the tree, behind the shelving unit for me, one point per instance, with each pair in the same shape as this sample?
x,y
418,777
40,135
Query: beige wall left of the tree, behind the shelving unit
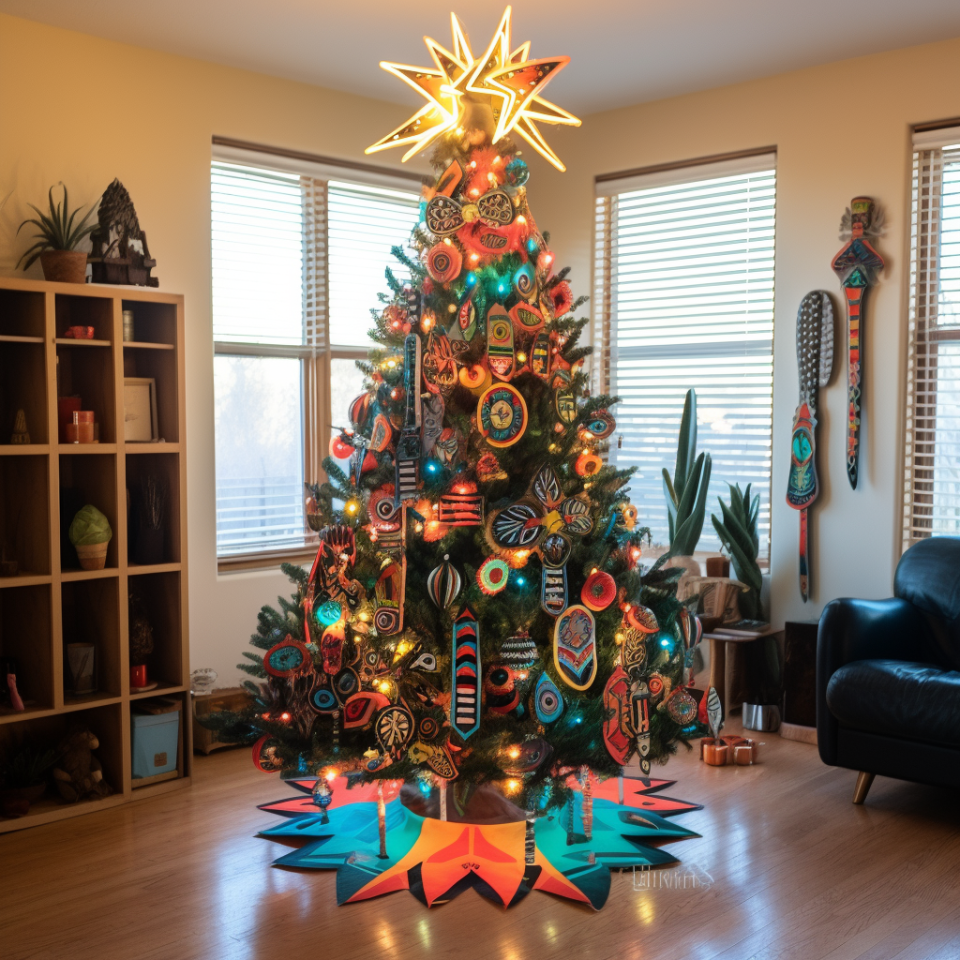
x,y
84,110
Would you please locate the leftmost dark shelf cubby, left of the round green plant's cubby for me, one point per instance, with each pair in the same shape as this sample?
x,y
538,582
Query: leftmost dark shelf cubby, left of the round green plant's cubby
x,y
25,515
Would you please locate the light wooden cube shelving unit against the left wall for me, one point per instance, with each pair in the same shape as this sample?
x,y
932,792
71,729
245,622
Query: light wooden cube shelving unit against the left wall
x,y
51,602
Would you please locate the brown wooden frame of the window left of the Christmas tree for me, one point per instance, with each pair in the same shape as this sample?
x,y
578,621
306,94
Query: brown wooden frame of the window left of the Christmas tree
x,y
316,352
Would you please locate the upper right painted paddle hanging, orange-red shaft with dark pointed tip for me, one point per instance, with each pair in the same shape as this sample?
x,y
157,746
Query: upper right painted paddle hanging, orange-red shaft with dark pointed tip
x,y
857,265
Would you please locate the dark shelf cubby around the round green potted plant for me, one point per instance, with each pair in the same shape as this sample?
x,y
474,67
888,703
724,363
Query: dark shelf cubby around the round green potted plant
x,y
88,480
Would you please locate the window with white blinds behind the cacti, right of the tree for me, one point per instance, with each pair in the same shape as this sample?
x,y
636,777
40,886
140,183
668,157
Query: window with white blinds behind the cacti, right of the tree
x,y
684,298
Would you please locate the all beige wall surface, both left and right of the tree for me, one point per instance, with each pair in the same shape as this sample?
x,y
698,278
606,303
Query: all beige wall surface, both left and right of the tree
x,y
840,130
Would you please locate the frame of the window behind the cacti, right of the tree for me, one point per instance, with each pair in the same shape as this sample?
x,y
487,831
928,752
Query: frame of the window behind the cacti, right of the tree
x,y
607,189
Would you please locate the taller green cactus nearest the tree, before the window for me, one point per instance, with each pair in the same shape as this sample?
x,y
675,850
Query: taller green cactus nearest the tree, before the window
x,y
686,494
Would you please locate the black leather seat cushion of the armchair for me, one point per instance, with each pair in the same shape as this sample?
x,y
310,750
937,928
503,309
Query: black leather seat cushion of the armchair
x,y
896,698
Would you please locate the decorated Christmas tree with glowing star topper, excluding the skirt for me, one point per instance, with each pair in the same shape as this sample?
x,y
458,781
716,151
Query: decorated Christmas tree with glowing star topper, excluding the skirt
x,y
477,612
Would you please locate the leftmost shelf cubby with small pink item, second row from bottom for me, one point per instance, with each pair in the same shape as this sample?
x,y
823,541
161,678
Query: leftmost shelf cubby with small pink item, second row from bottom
x,y
26,635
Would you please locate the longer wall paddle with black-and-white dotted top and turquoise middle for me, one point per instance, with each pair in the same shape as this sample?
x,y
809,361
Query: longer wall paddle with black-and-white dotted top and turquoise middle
x,y
814,366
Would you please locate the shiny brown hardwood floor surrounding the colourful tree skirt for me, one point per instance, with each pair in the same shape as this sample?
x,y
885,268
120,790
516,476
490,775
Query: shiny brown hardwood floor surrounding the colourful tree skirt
x,y
793,870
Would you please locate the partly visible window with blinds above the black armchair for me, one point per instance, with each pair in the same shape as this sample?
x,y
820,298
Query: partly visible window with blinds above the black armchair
x,y
932,436
